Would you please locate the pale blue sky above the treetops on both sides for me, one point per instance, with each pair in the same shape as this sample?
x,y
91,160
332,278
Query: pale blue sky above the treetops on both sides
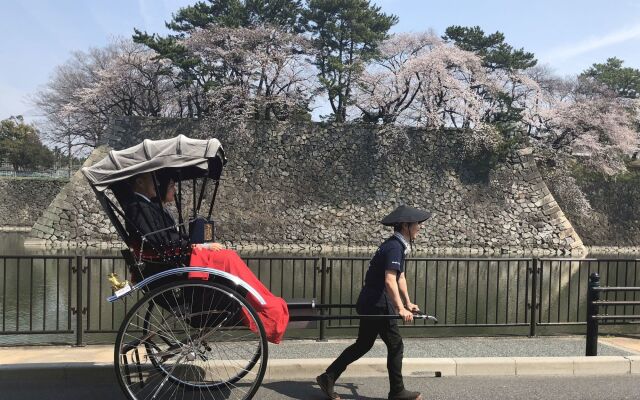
x,y
567,35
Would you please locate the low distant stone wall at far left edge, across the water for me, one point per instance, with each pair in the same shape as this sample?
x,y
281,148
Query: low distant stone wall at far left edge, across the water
x,y
23,200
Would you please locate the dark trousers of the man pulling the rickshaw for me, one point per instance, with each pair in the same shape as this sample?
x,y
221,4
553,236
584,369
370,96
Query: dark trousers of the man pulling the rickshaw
x,y
367,334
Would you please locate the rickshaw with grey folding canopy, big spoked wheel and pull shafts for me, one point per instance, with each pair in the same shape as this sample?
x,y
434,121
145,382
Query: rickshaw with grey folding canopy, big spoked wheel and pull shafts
x,y
183,338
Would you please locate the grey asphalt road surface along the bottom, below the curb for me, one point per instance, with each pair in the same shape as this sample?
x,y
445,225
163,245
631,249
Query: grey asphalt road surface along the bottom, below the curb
x,y
459,388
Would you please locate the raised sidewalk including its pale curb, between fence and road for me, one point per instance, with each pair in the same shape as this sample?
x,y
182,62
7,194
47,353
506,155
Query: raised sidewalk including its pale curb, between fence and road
x,y
304,359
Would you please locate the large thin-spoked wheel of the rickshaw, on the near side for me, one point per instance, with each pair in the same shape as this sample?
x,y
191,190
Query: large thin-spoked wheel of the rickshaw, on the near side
x,y
191,339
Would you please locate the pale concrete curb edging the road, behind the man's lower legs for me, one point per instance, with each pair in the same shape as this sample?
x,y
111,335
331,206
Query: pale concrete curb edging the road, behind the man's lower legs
x,y
302,369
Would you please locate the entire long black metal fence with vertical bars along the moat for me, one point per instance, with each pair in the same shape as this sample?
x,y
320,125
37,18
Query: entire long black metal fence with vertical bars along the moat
x,y
62,299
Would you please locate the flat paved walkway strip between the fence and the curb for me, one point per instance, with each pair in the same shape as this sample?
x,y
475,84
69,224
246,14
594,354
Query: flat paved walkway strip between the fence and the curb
x,y
472,347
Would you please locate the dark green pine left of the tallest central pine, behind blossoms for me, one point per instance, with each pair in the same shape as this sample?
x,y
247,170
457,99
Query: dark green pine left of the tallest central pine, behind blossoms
x,y
195,77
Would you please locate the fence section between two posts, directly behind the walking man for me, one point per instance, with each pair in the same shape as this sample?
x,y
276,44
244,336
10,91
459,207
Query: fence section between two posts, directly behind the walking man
x,y
462,292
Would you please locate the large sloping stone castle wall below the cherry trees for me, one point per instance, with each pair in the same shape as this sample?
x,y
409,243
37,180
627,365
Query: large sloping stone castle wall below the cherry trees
x,y
316,186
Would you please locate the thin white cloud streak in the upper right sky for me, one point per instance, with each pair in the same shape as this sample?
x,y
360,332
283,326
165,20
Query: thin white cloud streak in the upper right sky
x,y
572,50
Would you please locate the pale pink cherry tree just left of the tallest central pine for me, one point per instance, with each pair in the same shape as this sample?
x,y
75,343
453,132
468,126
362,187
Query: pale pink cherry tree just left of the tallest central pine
x,y
263,72
